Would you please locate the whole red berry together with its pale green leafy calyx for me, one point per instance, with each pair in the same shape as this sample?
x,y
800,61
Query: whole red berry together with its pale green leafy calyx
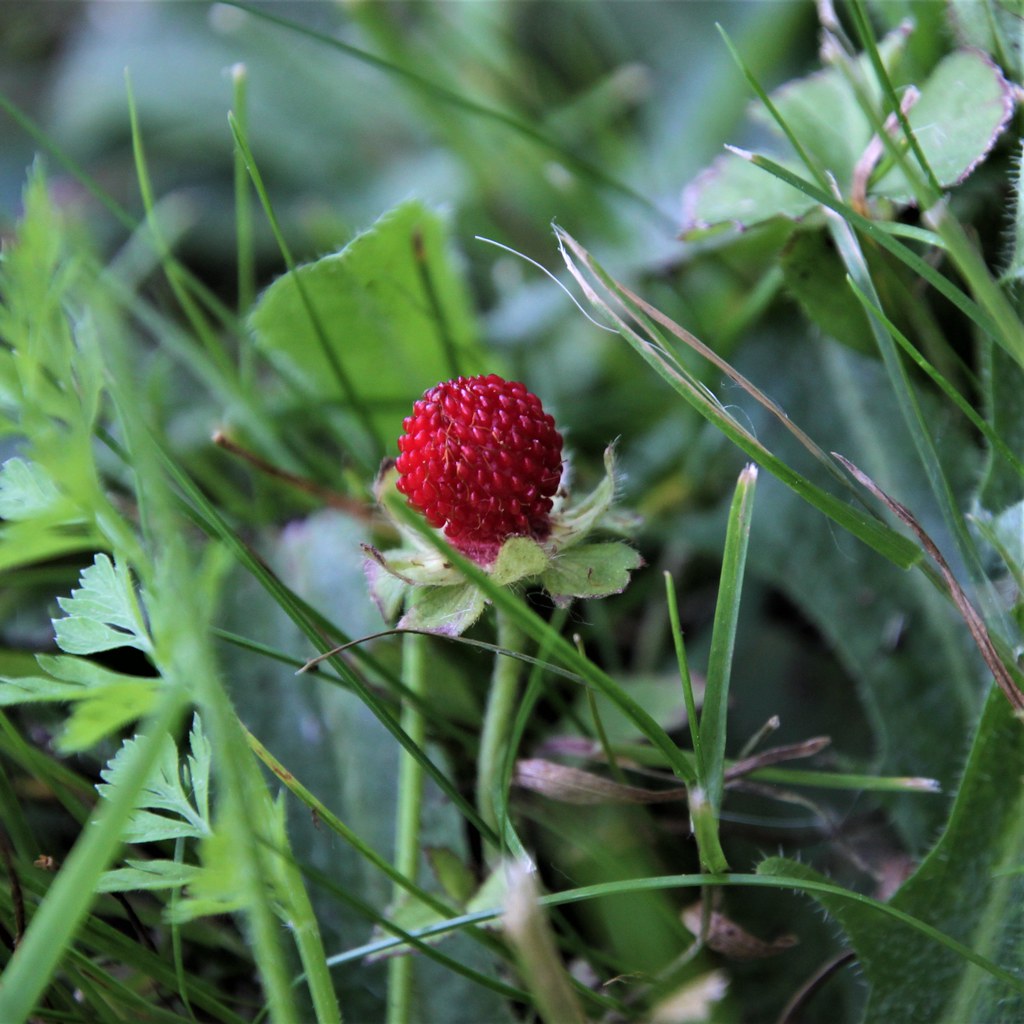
x,y
482,460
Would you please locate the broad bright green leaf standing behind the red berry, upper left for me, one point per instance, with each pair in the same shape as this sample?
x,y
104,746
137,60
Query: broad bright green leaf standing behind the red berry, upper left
x,y
378,315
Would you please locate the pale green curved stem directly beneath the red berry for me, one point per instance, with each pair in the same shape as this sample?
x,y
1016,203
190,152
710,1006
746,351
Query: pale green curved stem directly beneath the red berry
x,y
498,722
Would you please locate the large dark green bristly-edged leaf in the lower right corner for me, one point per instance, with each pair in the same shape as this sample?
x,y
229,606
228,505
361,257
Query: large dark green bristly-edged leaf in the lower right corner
x,y
963,889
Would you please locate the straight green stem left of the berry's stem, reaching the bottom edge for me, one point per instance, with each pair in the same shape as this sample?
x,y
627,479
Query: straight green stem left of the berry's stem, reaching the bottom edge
x,y
407,843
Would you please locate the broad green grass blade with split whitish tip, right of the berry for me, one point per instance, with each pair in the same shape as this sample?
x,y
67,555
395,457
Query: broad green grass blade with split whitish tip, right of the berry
x,y
607,294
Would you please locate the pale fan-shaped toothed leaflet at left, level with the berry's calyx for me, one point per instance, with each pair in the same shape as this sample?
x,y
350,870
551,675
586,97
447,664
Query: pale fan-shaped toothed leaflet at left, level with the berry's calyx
x,y
103,614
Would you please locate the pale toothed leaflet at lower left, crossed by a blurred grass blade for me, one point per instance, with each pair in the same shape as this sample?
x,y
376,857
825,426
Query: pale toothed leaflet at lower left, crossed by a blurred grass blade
x,y
165,792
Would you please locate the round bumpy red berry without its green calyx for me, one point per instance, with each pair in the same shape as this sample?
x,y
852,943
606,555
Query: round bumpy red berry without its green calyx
x,y
481,458
